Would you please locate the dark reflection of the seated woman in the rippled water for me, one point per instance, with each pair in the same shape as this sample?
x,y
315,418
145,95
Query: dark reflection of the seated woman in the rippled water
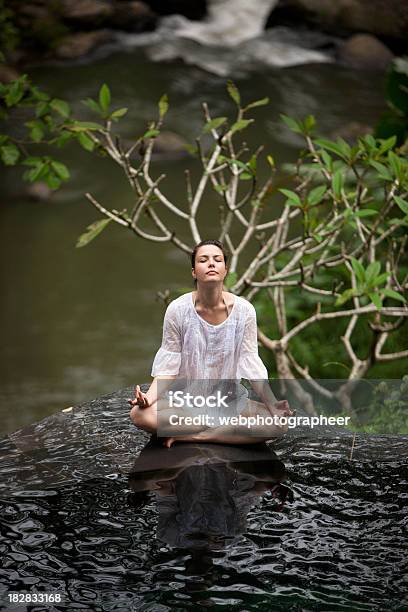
x,y
204,492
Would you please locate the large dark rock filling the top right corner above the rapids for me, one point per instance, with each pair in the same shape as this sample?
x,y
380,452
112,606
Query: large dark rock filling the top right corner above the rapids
x,y
383,18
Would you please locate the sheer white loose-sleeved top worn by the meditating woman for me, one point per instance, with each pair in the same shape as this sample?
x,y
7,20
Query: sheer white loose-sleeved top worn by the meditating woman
x,y
195,349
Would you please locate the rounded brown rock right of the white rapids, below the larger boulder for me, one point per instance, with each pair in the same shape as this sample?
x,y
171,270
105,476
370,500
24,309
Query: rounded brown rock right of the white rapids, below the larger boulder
x,y
365,51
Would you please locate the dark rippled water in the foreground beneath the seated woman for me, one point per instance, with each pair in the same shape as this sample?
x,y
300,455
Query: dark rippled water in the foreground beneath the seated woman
x,y
295,526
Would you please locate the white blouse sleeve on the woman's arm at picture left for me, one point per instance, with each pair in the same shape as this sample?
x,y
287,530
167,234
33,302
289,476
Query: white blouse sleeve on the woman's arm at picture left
x,y
168,358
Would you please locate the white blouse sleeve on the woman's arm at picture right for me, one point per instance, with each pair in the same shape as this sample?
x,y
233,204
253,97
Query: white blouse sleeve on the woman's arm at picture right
x,y
250,365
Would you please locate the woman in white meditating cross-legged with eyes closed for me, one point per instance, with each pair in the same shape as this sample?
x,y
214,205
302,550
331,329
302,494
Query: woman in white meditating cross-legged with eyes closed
x,y
211,334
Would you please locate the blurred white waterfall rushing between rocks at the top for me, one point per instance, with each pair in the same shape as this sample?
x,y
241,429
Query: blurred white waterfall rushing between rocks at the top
x,y
232,40
